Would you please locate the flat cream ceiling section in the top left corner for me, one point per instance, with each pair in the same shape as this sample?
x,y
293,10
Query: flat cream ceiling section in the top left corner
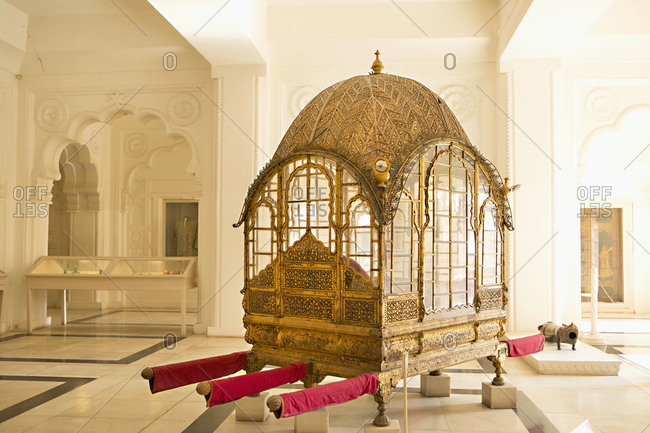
x,y
86,36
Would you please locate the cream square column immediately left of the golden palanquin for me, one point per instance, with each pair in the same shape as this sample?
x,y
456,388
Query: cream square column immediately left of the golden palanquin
x,y
237,162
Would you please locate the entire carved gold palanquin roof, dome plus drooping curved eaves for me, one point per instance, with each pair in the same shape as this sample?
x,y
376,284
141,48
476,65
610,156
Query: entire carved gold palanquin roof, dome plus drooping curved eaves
x,y
366,117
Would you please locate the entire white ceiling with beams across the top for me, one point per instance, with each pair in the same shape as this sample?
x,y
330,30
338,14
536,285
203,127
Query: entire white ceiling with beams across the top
x,y
65,36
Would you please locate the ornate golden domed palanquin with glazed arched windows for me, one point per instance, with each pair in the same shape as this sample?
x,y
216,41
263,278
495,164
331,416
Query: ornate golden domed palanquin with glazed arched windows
x,y
376,229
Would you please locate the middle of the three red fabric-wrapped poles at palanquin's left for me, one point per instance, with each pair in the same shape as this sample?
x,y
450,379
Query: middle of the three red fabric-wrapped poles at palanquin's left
x,y
232,388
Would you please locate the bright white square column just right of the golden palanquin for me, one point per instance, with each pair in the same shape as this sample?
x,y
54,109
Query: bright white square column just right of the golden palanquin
x,y
534,208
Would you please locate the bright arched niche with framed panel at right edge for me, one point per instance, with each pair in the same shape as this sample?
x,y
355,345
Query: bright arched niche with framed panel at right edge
x,y
614,198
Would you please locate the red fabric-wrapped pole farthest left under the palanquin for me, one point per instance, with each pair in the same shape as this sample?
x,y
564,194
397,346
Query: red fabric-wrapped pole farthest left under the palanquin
x,y
184,373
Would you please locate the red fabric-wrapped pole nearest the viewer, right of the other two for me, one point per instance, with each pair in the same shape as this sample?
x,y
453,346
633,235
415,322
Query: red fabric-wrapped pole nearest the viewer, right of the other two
x,y
298,402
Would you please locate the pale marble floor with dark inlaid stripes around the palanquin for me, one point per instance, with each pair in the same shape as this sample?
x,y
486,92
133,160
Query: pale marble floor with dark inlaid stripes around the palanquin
x,y
84,377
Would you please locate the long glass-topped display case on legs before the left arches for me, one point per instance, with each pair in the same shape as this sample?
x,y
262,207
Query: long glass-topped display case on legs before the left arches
x,y
112,273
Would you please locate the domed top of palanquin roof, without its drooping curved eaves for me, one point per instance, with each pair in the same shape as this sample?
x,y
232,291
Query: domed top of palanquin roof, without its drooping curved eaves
x,y
371,116
